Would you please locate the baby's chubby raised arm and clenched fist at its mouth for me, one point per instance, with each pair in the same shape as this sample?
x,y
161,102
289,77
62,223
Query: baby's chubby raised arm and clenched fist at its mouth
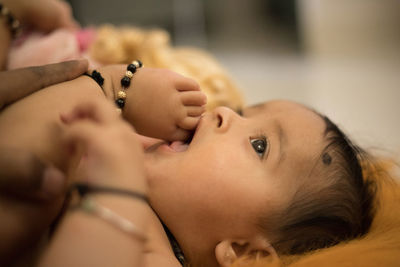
x,y
34,124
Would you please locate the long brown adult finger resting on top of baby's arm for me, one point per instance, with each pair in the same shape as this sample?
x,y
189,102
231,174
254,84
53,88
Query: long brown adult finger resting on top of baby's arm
x,y
19,83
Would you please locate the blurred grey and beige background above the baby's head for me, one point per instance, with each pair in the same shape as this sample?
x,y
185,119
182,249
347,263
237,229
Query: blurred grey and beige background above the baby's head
x,y
341,57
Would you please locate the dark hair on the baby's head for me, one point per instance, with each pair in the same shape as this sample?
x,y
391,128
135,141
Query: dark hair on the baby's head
x,y
337,209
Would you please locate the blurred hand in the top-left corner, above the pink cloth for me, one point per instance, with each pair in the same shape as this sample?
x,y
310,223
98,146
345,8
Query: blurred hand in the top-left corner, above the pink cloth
x,y
43,15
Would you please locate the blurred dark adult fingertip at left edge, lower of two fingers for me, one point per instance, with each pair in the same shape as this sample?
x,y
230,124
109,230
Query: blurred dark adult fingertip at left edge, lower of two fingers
x,y
25,175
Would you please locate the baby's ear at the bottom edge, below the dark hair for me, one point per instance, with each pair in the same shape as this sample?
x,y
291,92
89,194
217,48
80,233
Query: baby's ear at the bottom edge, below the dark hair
x,y
229,250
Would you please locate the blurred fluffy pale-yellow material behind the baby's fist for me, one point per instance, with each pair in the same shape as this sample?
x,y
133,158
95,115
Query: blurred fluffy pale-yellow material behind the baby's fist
x,y
121,45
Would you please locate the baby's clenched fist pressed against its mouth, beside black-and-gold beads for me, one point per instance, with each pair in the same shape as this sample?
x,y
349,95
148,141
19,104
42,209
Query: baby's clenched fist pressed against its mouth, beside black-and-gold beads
x,y
163,104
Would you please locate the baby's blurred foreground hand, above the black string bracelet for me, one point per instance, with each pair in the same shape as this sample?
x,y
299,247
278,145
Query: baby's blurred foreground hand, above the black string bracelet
x,y
113,153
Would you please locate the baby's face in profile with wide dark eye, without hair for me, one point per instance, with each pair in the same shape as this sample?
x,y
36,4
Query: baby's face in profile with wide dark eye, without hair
x,y
235,169
